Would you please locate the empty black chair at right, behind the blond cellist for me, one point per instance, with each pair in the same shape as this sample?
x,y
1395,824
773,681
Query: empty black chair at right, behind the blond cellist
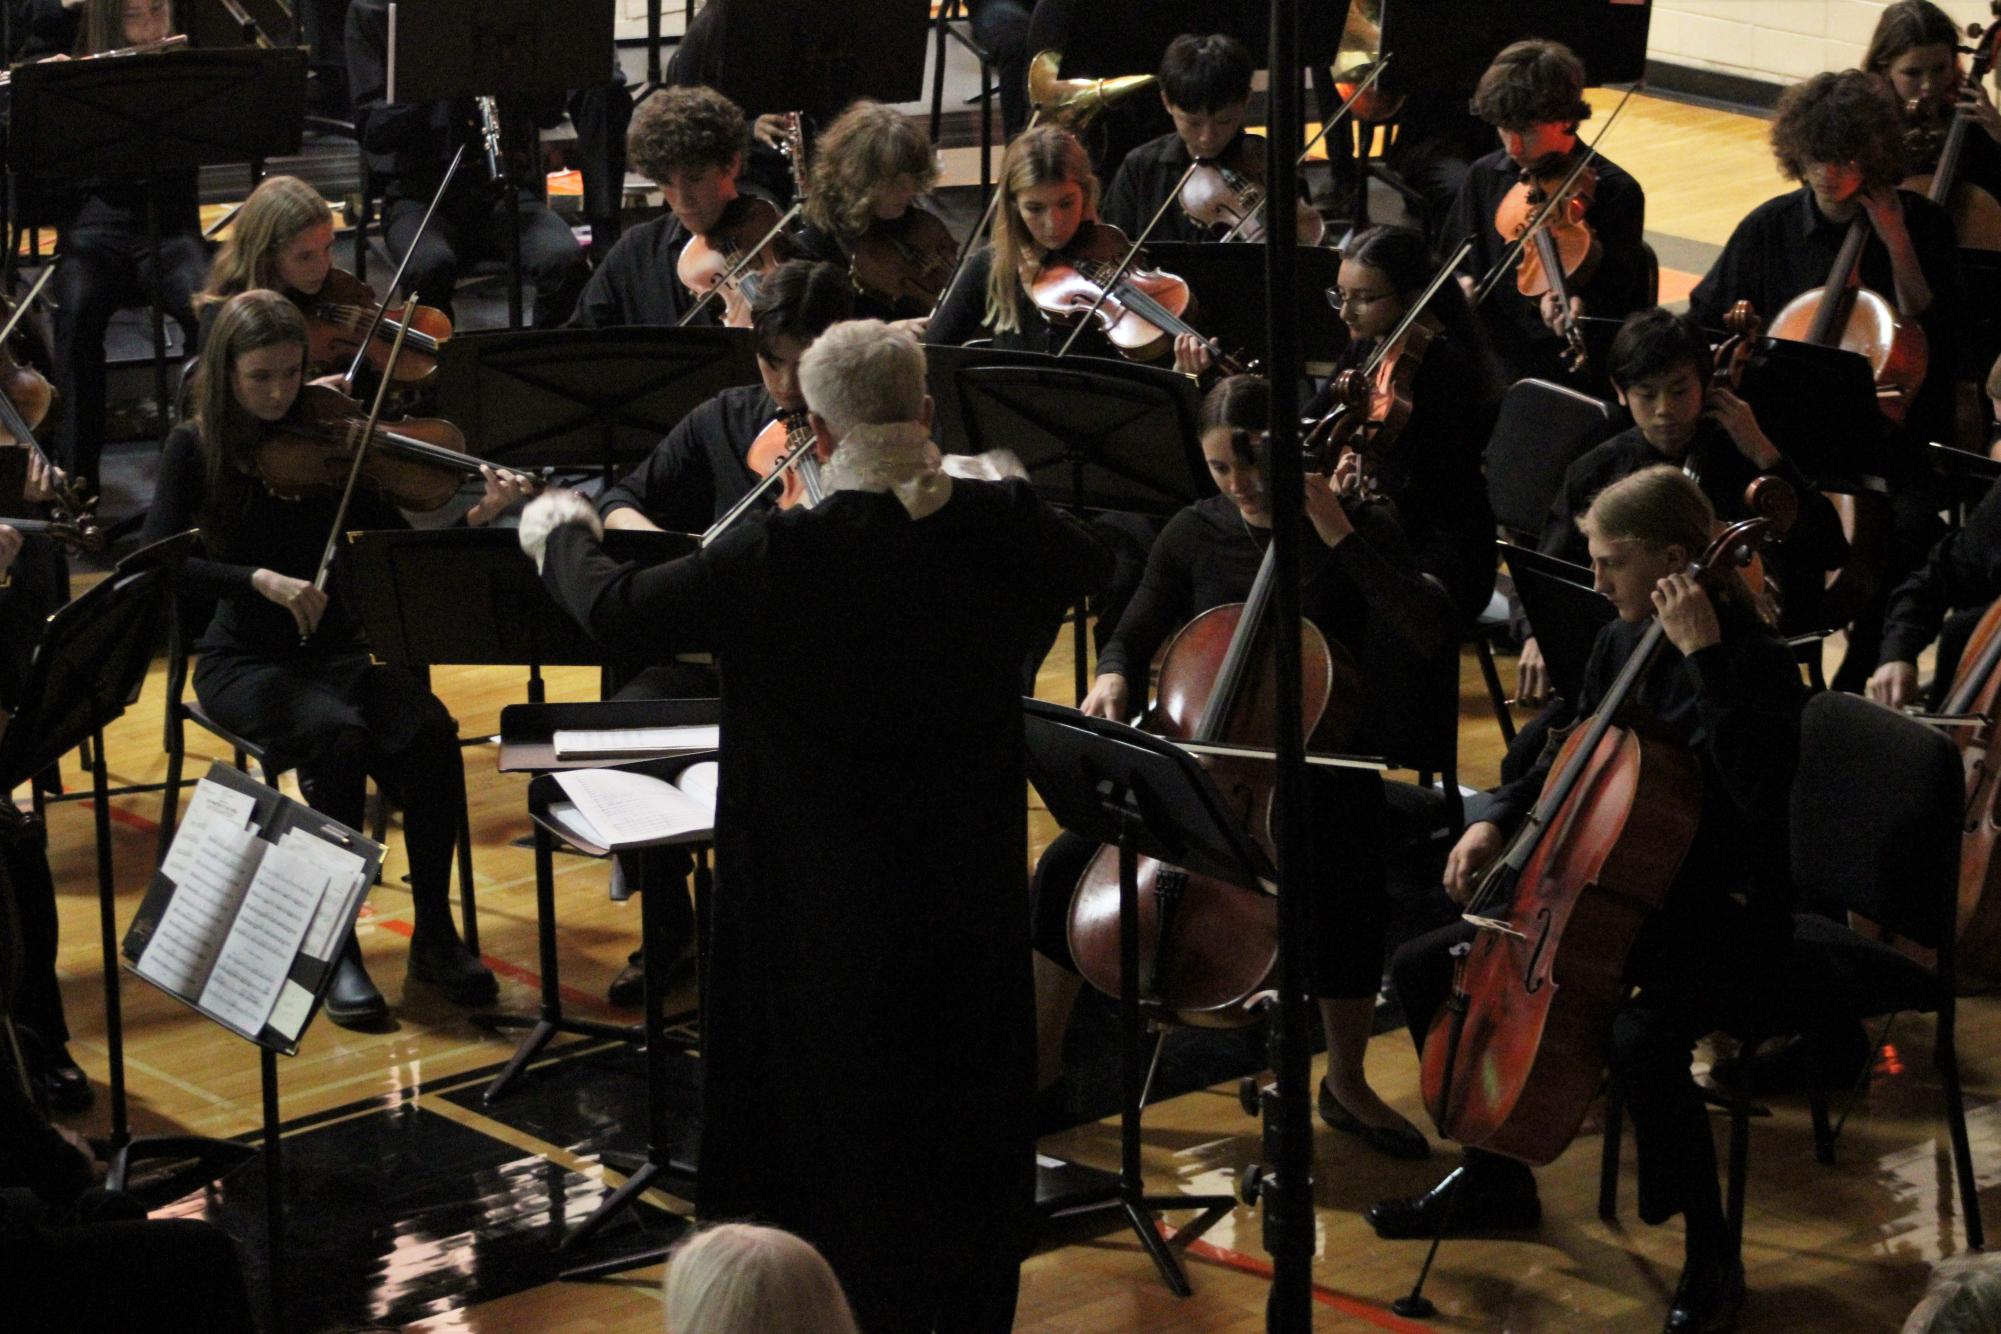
x,y
1876,831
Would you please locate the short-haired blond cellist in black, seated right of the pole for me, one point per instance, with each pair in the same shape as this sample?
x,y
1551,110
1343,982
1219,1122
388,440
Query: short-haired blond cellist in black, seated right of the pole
x,y
1728,691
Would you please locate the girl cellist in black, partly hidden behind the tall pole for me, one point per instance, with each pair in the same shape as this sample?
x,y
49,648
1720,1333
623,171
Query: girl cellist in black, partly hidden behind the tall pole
x,y
1366,595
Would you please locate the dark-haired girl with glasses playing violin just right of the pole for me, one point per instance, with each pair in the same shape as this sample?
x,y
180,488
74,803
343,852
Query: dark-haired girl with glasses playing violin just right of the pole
x,y
1432,469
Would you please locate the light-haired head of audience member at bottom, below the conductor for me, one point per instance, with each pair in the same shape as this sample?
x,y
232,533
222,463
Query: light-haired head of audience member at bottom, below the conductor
x,y
741,1277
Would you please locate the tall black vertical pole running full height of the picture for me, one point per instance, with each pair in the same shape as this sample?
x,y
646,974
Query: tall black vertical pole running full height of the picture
x,y
1288,1183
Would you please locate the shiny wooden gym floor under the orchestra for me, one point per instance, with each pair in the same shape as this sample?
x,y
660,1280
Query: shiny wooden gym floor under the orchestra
x,y
1828,1249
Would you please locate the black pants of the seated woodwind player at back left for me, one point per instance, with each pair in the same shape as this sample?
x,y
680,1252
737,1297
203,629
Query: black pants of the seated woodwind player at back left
x,y
473,225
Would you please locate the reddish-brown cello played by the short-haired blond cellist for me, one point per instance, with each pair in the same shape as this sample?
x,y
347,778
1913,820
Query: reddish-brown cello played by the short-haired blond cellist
x,y
1518,1055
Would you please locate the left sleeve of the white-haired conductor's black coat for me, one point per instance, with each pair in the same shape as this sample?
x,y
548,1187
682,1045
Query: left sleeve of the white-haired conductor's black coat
x,y
641,611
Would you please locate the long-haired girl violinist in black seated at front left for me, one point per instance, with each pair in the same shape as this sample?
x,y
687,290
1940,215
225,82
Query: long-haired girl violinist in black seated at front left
x,y
283,665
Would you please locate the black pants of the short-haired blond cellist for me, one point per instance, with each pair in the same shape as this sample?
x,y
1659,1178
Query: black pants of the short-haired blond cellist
x,y
1690,987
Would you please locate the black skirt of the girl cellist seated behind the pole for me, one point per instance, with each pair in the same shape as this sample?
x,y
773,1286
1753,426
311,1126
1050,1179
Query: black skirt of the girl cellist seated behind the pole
x,y
1350,913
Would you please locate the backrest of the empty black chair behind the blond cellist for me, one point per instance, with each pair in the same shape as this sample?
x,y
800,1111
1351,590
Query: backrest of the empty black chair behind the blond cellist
x,y
1876,817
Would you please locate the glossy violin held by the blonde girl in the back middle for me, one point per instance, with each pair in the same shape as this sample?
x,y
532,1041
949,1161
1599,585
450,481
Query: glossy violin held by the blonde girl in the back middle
x,y
1142,315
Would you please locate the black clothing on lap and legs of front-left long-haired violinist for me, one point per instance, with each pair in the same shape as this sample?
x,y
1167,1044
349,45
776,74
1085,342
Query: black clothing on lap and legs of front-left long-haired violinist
x,y
343,721
